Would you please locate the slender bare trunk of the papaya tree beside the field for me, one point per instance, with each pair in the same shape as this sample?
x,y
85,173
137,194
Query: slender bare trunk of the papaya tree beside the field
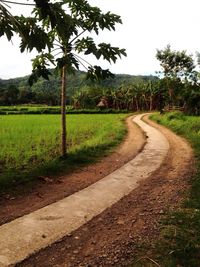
x,y
63,114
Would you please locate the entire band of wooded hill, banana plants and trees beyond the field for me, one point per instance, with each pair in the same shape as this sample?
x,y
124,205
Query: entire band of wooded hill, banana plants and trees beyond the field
x,y
179,88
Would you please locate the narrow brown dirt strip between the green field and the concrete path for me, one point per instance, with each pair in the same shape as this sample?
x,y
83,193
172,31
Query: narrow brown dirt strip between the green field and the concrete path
x,y
50,190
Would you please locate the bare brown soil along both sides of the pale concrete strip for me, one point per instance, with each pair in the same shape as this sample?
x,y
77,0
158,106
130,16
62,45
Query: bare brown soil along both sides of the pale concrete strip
x,y
112,238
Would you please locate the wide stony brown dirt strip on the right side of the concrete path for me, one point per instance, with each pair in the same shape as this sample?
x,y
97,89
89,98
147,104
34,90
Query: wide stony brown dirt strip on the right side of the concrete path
x,y
112,238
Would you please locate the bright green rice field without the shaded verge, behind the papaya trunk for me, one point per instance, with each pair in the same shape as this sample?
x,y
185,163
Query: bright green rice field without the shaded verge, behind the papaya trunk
x,y
28,141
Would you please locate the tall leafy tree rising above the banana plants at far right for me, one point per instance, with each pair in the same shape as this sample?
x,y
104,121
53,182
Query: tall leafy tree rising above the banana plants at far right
x,y
181,79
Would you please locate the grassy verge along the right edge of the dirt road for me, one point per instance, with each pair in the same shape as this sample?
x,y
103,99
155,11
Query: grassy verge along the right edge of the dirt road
x,y
179,242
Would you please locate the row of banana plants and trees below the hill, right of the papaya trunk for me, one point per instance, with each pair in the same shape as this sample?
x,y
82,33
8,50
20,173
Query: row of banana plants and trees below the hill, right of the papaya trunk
x,y
158,94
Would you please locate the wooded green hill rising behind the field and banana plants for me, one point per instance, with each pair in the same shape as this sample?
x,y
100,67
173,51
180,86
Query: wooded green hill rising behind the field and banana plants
x,y
49,91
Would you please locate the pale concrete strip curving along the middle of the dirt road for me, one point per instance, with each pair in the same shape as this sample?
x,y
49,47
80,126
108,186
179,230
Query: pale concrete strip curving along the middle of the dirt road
x,y
47,225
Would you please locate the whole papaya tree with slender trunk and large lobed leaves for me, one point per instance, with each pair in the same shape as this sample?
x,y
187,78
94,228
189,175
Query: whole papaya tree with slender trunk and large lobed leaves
x,y
62,32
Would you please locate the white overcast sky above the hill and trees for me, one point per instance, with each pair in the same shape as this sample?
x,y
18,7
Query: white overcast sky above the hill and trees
x,y
147,26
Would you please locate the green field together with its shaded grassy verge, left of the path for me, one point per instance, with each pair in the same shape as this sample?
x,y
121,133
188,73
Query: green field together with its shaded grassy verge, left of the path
x,y
30,144
